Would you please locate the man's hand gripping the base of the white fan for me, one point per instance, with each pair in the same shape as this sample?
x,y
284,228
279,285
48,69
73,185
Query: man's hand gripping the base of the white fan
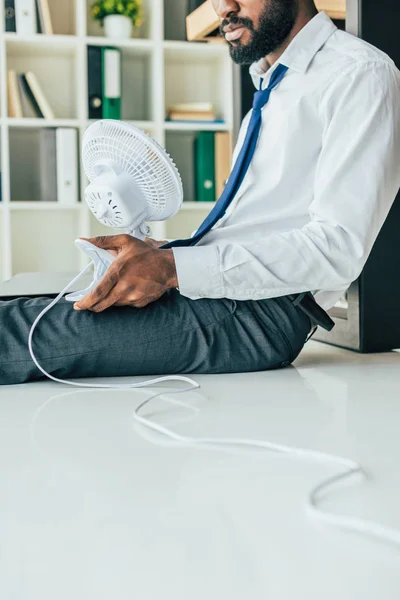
x,y
139,275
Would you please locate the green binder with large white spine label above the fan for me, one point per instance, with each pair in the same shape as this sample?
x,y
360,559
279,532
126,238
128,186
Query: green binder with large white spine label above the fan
x,y
112,83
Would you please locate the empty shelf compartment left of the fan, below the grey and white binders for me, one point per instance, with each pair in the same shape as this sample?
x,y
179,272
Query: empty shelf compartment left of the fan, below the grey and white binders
x,y
36,238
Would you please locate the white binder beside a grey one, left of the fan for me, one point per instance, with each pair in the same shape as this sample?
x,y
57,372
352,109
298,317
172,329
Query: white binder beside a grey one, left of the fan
x,y
67,165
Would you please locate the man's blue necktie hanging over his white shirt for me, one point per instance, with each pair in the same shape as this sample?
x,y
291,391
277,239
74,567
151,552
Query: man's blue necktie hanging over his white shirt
x,y
241,165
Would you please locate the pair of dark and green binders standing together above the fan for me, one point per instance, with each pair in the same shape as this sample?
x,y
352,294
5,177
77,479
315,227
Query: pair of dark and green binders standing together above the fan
x,y
104,83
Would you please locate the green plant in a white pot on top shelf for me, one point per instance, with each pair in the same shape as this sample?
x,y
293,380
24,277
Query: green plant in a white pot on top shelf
x,y
118,16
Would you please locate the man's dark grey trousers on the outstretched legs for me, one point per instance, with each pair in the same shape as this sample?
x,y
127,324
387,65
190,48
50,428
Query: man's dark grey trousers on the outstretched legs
x,y
174,335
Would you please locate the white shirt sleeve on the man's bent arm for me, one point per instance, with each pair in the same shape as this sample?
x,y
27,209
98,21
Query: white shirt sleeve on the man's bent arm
x,y
357,179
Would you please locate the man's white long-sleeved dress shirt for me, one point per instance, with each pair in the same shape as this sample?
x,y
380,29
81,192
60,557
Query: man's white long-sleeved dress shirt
x,y
322,181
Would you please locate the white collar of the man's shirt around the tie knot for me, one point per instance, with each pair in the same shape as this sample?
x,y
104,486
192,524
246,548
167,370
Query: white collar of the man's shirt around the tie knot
x,y
301,50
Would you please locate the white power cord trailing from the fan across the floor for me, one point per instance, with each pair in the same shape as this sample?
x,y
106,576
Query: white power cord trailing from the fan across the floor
x,y
351,468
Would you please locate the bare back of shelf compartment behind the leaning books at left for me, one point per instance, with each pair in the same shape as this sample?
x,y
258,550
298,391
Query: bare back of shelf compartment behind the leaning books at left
x,y
55,67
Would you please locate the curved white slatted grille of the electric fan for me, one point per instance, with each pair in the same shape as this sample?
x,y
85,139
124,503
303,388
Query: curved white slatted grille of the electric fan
x,y
141,157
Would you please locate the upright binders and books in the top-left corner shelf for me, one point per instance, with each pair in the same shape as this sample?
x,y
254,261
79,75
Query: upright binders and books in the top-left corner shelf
x,y
28,17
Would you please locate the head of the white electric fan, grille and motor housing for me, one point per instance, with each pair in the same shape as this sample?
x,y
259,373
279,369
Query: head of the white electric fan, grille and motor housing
x,y
132,178
